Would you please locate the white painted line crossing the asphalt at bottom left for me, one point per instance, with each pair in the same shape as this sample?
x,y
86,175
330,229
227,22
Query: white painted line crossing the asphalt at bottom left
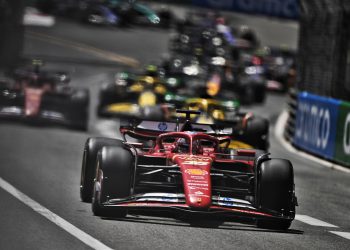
x,y
65,225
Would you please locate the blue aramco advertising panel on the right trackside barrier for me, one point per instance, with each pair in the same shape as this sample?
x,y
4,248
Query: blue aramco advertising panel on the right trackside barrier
x,y
316,124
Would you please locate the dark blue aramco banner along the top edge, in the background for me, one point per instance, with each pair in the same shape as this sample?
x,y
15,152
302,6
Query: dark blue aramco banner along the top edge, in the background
x,y
278,8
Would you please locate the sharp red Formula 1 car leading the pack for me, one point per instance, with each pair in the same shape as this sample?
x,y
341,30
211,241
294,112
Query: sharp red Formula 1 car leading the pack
x,y
187,170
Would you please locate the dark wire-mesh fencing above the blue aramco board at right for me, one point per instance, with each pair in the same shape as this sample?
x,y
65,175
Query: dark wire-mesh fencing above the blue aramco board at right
x,y
324,48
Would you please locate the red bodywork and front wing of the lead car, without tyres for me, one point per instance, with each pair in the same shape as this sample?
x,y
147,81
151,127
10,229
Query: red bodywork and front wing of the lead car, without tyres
x,y
197,166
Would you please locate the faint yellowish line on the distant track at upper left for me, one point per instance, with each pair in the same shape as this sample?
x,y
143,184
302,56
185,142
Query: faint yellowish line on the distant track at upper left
x,y
85,48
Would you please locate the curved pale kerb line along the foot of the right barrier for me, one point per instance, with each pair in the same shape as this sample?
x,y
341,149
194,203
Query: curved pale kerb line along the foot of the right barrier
x,y
279,129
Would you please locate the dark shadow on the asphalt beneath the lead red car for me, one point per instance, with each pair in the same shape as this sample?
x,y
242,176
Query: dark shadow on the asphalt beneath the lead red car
x,y
236,224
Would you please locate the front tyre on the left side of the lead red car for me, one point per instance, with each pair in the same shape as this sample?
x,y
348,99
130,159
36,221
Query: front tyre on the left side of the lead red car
x,y
113,180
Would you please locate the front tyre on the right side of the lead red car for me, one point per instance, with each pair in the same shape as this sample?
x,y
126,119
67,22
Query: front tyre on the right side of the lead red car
x,y
275,192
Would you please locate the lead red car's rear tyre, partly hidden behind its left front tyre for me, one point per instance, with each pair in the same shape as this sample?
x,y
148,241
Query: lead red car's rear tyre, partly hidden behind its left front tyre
x,y
92,146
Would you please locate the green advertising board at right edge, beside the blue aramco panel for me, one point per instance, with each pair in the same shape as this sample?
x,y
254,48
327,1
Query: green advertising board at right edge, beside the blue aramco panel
x,y
342,146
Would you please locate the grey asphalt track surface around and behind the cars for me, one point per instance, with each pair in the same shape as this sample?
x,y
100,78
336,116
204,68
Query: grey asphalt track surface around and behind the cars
x,y
44,164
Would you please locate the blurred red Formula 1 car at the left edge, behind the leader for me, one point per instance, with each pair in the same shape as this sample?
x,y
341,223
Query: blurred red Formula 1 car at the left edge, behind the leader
x,y
38,96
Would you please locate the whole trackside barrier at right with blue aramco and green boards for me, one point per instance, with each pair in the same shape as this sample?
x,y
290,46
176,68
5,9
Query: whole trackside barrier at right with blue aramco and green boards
x,y
319,125
